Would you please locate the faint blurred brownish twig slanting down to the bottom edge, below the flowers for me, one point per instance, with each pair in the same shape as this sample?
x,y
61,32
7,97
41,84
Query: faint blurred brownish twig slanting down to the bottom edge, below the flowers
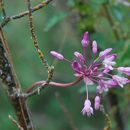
x,y
66,112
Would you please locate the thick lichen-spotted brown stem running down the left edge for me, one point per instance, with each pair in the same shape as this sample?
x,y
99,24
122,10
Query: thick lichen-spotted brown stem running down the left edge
x,y
13,86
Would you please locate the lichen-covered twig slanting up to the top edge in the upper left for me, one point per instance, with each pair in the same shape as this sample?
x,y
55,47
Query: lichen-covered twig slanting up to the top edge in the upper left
x,y
25,13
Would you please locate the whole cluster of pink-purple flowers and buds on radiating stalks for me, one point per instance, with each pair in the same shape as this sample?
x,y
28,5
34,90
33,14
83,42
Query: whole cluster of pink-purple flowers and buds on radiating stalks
x,y
97,72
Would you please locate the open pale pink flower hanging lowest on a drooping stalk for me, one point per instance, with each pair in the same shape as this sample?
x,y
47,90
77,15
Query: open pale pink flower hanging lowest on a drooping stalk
x,y
87,108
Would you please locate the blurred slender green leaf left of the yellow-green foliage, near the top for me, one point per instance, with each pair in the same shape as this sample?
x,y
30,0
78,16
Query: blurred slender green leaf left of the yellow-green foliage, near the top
x,y
54,20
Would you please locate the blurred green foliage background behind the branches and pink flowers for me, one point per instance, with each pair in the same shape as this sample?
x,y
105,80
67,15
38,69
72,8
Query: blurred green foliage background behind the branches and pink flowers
x,y
60,27
